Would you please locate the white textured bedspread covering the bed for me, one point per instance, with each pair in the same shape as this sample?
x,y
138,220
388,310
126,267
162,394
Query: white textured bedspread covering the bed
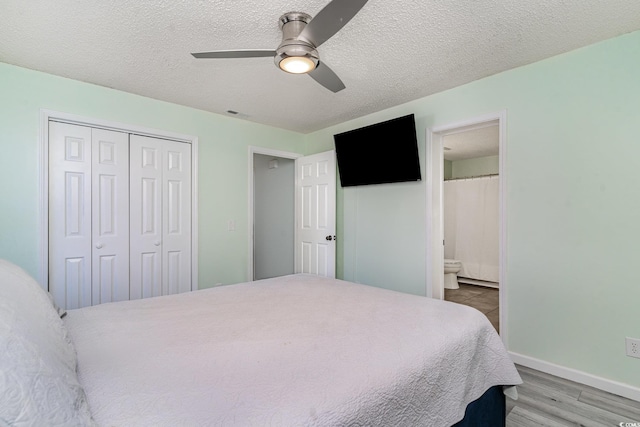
x,y
294,351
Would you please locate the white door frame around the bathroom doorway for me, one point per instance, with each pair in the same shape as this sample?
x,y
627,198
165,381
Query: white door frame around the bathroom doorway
x,y
435,224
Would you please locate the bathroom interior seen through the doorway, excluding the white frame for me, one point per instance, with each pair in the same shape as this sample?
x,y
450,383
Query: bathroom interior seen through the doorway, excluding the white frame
x,y
471,219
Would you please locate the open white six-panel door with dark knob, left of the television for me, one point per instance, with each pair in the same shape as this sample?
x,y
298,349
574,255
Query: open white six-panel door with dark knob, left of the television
x,y
315,250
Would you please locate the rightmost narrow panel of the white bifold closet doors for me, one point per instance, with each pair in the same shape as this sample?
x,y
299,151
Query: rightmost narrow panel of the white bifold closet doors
x,y
176,217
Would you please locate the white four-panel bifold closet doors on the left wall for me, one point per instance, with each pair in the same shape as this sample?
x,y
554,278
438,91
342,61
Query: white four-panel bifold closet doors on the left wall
x,y
119,215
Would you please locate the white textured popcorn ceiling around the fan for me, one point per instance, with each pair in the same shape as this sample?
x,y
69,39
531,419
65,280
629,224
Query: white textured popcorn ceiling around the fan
x,y
390,53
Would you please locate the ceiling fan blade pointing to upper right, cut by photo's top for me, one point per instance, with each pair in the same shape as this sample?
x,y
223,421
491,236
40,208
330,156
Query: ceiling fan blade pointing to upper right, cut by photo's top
x,y
330,20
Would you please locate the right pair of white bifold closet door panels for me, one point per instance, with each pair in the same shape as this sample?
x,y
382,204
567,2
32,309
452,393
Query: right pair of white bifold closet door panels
x,y
160,221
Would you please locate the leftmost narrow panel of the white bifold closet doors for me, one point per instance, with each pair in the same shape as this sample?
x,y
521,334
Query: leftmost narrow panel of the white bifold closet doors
x,y
70,214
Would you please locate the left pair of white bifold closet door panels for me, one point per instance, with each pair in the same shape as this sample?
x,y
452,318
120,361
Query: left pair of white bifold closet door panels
x,y
88,215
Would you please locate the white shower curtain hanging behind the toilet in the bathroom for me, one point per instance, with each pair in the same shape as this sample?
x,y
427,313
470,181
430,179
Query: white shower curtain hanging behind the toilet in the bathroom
x,y
471,226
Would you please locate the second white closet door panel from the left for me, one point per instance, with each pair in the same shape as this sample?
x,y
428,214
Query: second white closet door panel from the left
x,y
110,216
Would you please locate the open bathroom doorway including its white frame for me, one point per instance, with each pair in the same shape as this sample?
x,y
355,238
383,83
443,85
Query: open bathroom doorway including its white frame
x,y
465,221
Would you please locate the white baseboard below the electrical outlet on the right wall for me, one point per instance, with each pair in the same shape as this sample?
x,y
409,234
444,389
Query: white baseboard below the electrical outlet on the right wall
x,y
615,387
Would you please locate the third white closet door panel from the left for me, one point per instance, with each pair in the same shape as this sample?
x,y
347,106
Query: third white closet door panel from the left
x,y
145,216
